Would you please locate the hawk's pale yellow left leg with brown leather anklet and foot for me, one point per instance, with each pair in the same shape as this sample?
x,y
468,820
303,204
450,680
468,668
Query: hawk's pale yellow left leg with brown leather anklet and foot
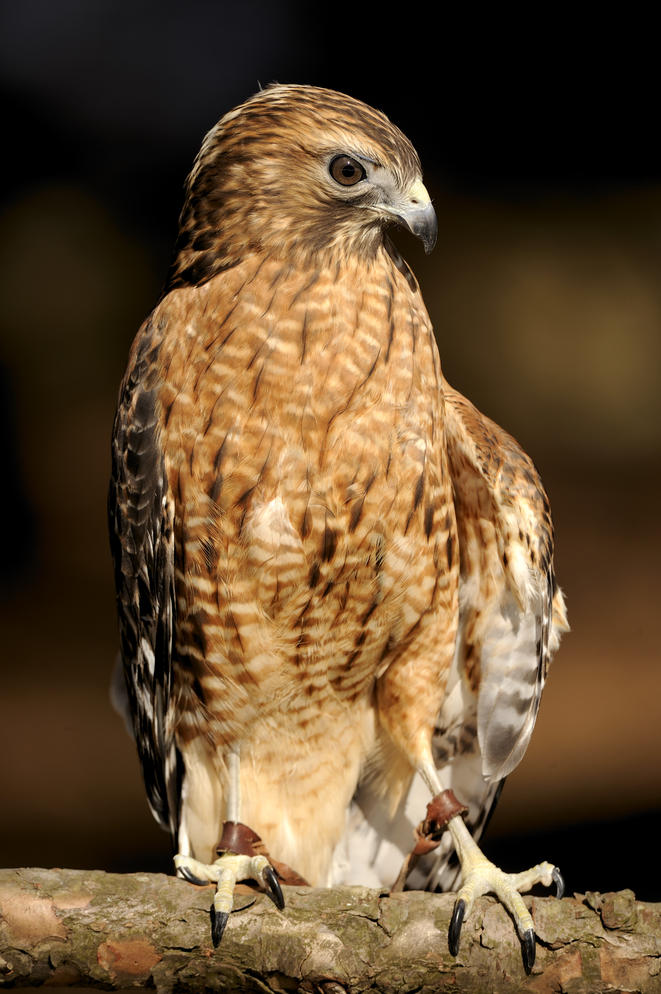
x,y
237,860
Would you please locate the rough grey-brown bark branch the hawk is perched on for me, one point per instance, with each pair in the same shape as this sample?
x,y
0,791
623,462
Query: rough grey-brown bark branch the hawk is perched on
x,y
79,927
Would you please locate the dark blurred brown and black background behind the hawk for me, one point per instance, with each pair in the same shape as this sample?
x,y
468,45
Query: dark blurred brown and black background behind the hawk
x,y
539,143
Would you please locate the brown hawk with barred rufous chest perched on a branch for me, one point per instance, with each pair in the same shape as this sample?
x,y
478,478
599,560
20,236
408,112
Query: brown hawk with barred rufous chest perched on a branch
x,y
334,575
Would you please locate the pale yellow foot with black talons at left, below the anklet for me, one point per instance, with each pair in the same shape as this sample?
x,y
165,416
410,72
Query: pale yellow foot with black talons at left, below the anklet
x,y
225,872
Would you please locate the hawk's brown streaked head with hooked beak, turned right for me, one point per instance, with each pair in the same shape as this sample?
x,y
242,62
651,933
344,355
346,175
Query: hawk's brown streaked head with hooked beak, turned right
x,y
298,172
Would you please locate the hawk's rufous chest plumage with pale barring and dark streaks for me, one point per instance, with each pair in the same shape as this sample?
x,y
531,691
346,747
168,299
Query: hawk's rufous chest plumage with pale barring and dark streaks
x,y
302,427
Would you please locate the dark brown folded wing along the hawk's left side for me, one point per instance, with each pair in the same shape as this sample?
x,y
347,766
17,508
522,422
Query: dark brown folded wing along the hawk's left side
x,y
141,511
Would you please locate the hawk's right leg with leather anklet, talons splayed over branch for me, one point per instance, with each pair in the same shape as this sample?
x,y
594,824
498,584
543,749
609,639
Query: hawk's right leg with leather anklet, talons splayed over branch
x,y
481,876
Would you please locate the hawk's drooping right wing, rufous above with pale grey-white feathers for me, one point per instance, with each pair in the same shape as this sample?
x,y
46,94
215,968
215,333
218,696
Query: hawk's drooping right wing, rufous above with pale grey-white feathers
x,y
511,613
